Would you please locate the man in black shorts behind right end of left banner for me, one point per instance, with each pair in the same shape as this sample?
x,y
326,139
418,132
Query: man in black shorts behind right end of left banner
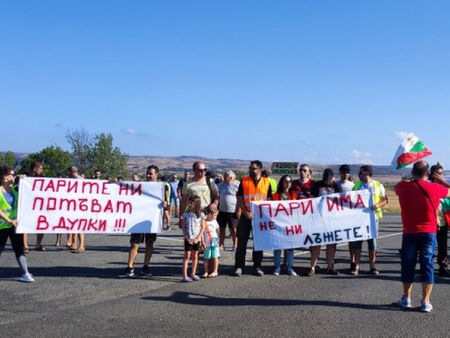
x,y
136,239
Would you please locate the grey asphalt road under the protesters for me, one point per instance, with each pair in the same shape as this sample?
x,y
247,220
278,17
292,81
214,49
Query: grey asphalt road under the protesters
x,y
80,295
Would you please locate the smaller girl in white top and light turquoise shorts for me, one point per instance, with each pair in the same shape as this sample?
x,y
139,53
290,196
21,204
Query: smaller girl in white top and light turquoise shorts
x,y
210,245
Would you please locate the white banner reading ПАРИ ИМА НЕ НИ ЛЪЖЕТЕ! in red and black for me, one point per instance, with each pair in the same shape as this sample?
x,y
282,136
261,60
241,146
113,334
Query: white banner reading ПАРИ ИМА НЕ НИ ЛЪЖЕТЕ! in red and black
x,y
335,218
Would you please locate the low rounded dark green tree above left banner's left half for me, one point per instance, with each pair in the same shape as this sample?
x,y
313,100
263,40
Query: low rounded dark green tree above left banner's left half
x,y
54,160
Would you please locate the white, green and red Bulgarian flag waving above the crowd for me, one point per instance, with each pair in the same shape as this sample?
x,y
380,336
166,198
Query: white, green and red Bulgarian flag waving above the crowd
x,y
411,150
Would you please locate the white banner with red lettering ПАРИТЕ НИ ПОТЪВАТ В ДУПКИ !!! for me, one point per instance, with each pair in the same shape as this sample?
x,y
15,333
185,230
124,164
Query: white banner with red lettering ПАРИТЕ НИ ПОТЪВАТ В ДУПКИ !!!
x,y
54,205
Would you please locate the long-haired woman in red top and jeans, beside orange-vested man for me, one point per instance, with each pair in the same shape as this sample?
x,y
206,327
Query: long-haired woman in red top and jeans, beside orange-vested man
x,y
284,193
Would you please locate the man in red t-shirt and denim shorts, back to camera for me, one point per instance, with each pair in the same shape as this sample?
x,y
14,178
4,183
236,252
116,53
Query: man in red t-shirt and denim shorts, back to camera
x,y
419,200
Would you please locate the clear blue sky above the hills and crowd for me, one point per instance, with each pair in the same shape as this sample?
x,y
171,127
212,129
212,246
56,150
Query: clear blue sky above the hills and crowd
x,y
310,81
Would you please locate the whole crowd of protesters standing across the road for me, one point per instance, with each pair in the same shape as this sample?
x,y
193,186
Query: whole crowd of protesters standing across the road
x,y
206,206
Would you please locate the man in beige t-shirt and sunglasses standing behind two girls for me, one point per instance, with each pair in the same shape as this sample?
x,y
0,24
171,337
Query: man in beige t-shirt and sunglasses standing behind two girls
x,y
199,186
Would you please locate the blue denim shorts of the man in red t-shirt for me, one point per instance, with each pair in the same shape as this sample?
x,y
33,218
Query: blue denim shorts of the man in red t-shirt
x,y
424,244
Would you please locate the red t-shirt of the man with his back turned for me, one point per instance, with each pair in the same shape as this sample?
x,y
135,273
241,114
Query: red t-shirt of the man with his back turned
x,y
417,212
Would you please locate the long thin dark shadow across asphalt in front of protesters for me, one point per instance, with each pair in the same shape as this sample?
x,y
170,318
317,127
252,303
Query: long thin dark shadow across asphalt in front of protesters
x,y
191,298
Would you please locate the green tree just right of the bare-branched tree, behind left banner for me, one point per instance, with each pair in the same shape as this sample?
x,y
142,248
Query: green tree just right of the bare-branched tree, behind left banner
x,y
107,158
